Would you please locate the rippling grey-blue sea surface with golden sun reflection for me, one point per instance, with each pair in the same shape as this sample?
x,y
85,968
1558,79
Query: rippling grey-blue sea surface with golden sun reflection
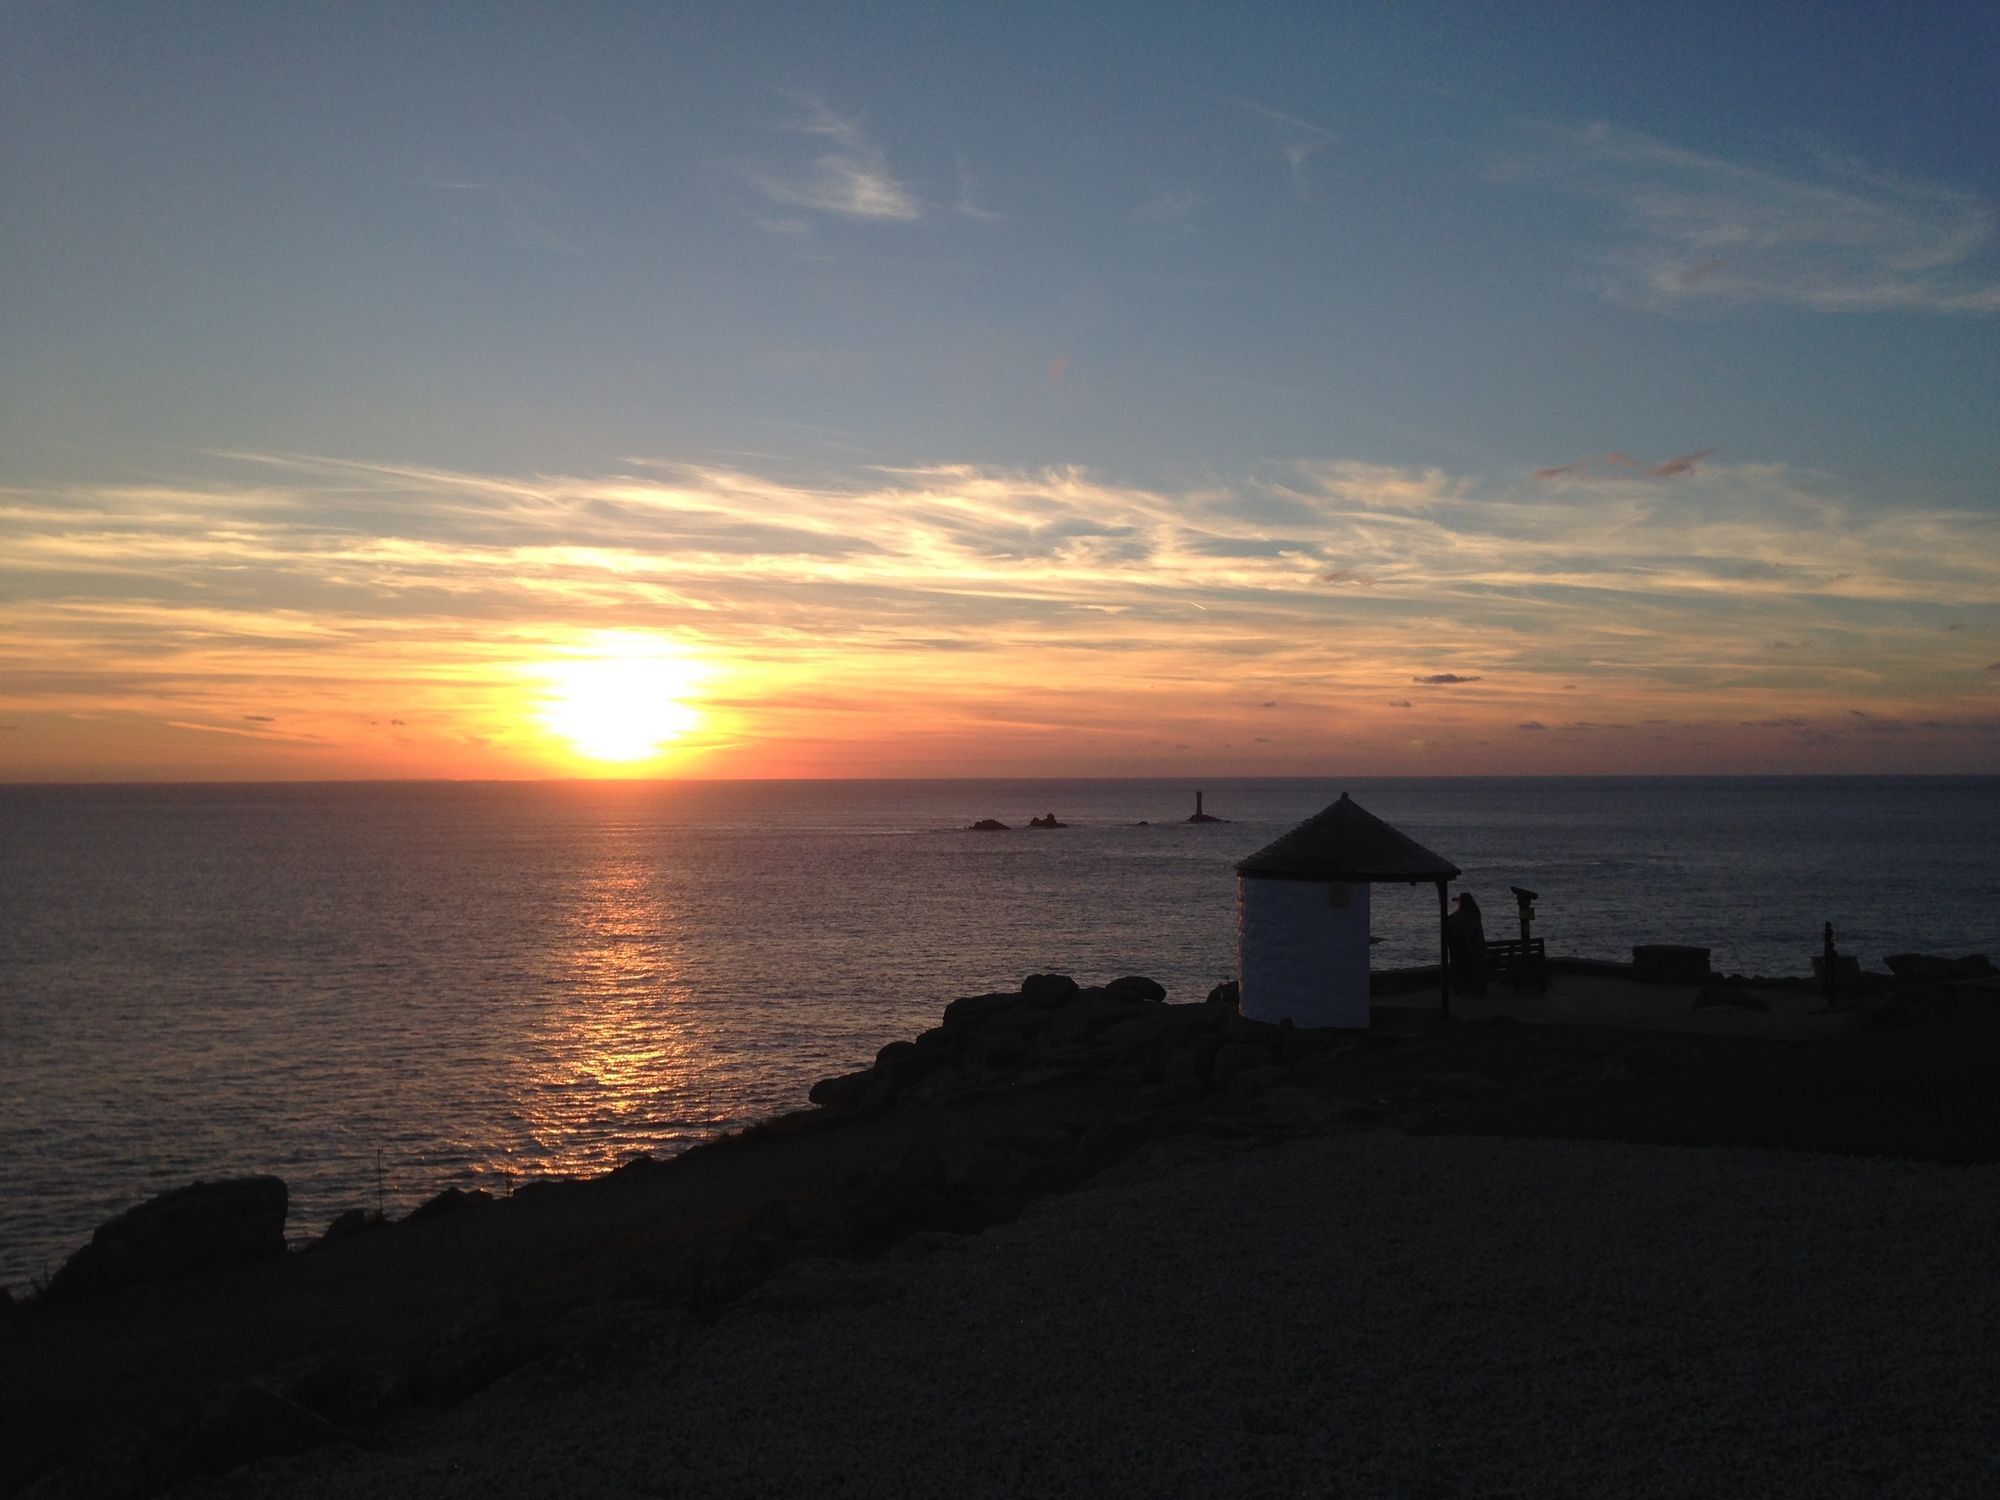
x,y
385,989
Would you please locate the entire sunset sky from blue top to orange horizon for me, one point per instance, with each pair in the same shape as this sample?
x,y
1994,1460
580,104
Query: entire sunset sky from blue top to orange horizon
x,y
1081,389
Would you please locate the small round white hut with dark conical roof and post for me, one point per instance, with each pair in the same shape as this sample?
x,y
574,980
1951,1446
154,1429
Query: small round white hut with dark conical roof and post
x,y
1303,915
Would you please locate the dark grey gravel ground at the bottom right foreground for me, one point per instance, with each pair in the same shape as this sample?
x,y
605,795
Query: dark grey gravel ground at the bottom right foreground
x,y
1357,1315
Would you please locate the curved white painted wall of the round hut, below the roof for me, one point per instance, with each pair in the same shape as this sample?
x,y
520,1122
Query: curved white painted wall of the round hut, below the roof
x,y
1303,951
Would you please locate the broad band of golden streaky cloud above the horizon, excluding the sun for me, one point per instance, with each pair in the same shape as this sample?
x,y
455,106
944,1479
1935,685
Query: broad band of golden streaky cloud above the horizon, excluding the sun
x,y
285,585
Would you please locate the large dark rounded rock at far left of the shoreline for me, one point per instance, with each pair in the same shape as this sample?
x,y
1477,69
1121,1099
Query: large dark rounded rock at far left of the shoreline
x,y
181,1231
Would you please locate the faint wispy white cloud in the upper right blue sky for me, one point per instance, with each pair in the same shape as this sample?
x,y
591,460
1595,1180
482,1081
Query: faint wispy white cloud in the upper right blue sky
x,y
1695,227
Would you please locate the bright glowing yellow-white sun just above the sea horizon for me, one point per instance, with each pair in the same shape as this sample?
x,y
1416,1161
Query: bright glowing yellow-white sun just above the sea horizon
x,y
623,697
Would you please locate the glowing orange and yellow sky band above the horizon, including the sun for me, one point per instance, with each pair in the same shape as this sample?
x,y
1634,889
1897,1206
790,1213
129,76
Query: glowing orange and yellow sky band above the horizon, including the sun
x,y
319,621
